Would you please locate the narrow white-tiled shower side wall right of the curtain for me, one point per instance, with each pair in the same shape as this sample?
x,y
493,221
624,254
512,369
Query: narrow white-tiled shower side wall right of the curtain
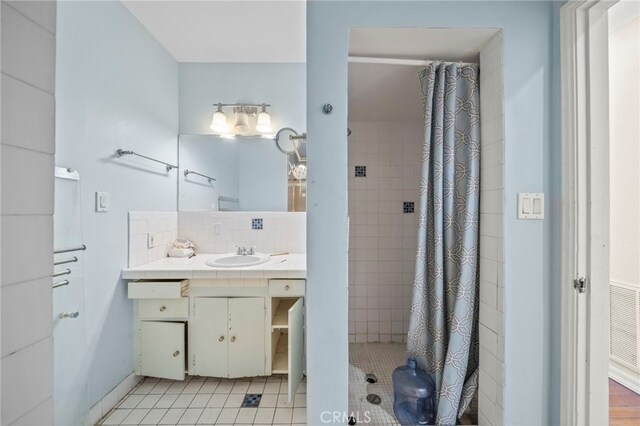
x,y
490,395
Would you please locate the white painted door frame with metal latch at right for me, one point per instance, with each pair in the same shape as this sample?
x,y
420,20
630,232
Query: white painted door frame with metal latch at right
x,y
584,36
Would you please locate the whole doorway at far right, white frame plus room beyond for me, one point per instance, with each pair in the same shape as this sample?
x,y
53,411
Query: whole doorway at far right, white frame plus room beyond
x,y
600,210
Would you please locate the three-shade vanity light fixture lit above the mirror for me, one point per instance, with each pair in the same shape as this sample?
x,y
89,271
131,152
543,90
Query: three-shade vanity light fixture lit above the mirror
x,y
242,125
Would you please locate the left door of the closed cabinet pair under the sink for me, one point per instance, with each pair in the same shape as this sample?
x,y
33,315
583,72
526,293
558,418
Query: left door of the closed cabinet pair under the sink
x,y
208,336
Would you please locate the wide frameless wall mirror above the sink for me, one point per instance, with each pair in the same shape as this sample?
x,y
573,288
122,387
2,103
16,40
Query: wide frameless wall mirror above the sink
x,y
242,173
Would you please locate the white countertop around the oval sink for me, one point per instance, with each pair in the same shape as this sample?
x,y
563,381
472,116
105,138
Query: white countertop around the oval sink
x,y
287,266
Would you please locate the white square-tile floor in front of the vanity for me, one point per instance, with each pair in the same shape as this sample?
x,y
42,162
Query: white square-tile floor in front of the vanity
x,y
208,401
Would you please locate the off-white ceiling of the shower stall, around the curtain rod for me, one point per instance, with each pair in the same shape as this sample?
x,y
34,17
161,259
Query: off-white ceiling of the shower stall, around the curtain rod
x,y
392,92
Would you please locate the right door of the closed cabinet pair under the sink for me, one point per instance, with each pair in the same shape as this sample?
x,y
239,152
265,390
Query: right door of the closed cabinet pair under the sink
x,y
246,337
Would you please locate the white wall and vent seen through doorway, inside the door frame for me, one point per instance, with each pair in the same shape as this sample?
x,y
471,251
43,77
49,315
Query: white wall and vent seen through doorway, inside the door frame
x,y
624,202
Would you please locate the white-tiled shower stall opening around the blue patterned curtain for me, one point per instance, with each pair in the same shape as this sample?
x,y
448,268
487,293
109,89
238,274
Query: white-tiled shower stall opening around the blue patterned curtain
x,y
386,123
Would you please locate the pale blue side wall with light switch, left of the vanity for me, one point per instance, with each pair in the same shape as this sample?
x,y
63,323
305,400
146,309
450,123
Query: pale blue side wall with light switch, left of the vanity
x,y
116,87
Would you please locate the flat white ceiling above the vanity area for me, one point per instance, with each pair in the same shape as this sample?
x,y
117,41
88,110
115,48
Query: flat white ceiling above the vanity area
x,y
226,31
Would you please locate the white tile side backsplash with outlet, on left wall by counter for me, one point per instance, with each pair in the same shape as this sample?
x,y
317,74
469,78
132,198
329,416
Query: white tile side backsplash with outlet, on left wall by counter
x,y
162,225
